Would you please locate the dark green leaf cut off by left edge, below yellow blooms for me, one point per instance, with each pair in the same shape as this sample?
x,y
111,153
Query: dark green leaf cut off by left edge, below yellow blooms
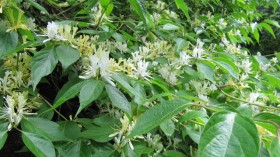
x,y
8,41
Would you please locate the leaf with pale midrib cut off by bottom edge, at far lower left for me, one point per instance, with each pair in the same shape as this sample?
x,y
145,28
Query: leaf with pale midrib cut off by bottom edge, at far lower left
x,y
38,145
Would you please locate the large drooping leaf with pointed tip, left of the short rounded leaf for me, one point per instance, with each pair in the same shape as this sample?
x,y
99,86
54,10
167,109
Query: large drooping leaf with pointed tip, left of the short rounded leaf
x,y
43,64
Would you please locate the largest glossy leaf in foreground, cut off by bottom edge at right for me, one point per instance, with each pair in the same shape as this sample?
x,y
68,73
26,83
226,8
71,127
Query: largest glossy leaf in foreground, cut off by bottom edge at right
x,y
229,134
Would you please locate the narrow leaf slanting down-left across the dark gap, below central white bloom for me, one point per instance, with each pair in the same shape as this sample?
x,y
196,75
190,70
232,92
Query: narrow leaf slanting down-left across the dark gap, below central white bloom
x,y
68,91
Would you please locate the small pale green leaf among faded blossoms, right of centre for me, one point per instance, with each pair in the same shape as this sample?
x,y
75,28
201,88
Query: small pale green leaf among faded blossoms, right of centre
x,y
206,71
